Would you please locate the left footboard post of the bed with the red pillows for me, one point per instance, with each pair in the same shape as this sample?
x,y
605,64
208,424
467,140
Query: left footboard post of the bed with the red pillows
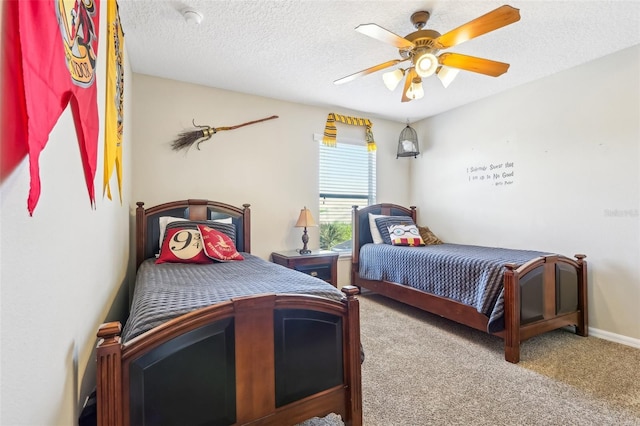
x,y
109,375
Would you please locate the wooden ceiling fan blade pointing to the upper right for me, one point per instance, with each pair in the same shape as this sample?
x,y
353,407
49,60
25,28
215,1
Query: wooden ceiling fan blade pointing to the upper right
x,y
498,18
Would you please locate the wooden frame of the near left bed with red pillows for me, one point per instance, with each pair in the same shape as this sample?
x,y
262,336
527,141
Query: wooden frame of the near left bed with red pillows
x,y
270,359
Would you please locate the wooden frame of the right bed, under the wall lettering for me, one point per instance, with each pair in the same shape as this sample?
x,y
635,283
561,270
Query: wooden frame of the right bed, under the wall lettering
x,y
544,294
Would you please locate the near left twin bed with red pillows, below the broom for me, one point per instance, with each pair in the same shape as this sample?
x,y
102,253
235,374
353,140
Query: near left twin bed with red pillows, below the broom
x,y
226,343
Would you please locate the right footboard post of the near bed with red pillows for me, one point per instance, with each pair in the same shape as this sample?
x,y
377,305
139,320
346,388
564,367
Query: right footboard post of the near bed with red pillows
x,y
354,404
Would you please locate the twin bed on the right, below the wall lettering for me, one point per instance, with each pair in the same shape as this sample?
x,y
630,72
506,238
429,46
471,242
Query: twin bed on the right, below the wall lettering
x,y
515,294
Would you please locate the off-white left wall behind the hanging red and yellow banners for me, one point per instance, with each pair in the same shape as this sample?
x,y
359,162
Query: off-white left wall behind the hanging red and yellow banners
x,y
62,273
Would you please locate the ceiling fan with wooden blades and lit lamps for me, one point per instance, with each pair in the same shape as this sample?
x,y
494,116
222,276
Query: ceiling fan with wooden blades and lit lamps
x,y
421,47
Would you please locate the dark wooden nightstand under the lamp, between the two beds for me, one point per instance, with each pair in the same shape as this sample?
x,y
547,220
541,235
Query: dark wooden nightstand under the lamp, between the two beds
x,y
319,263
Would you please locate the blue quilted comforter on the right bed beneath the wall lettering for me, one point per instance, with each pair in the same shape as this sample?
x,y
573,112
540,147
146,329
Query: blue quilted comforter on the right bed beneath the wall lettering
x,y
472,275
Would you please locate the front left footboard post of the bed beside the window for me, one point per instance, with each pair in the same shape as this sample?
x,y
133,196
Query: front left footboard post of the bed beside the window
x,y
511,314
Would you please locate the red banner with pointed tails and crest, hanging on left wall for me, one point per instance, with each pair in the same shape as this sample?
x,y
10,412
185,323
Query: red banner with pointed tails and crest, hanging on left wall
x,y
54,48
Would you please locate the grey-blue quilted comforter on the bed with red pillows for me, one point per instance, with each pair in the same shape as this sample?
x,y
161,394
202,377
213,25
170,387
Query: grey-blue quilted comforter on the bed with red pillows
x,y
168,290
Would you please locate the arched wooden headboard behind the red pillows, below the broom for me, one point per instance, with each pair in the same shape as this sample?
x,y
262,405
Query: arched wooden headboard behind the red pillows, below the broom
x,y
148,228
